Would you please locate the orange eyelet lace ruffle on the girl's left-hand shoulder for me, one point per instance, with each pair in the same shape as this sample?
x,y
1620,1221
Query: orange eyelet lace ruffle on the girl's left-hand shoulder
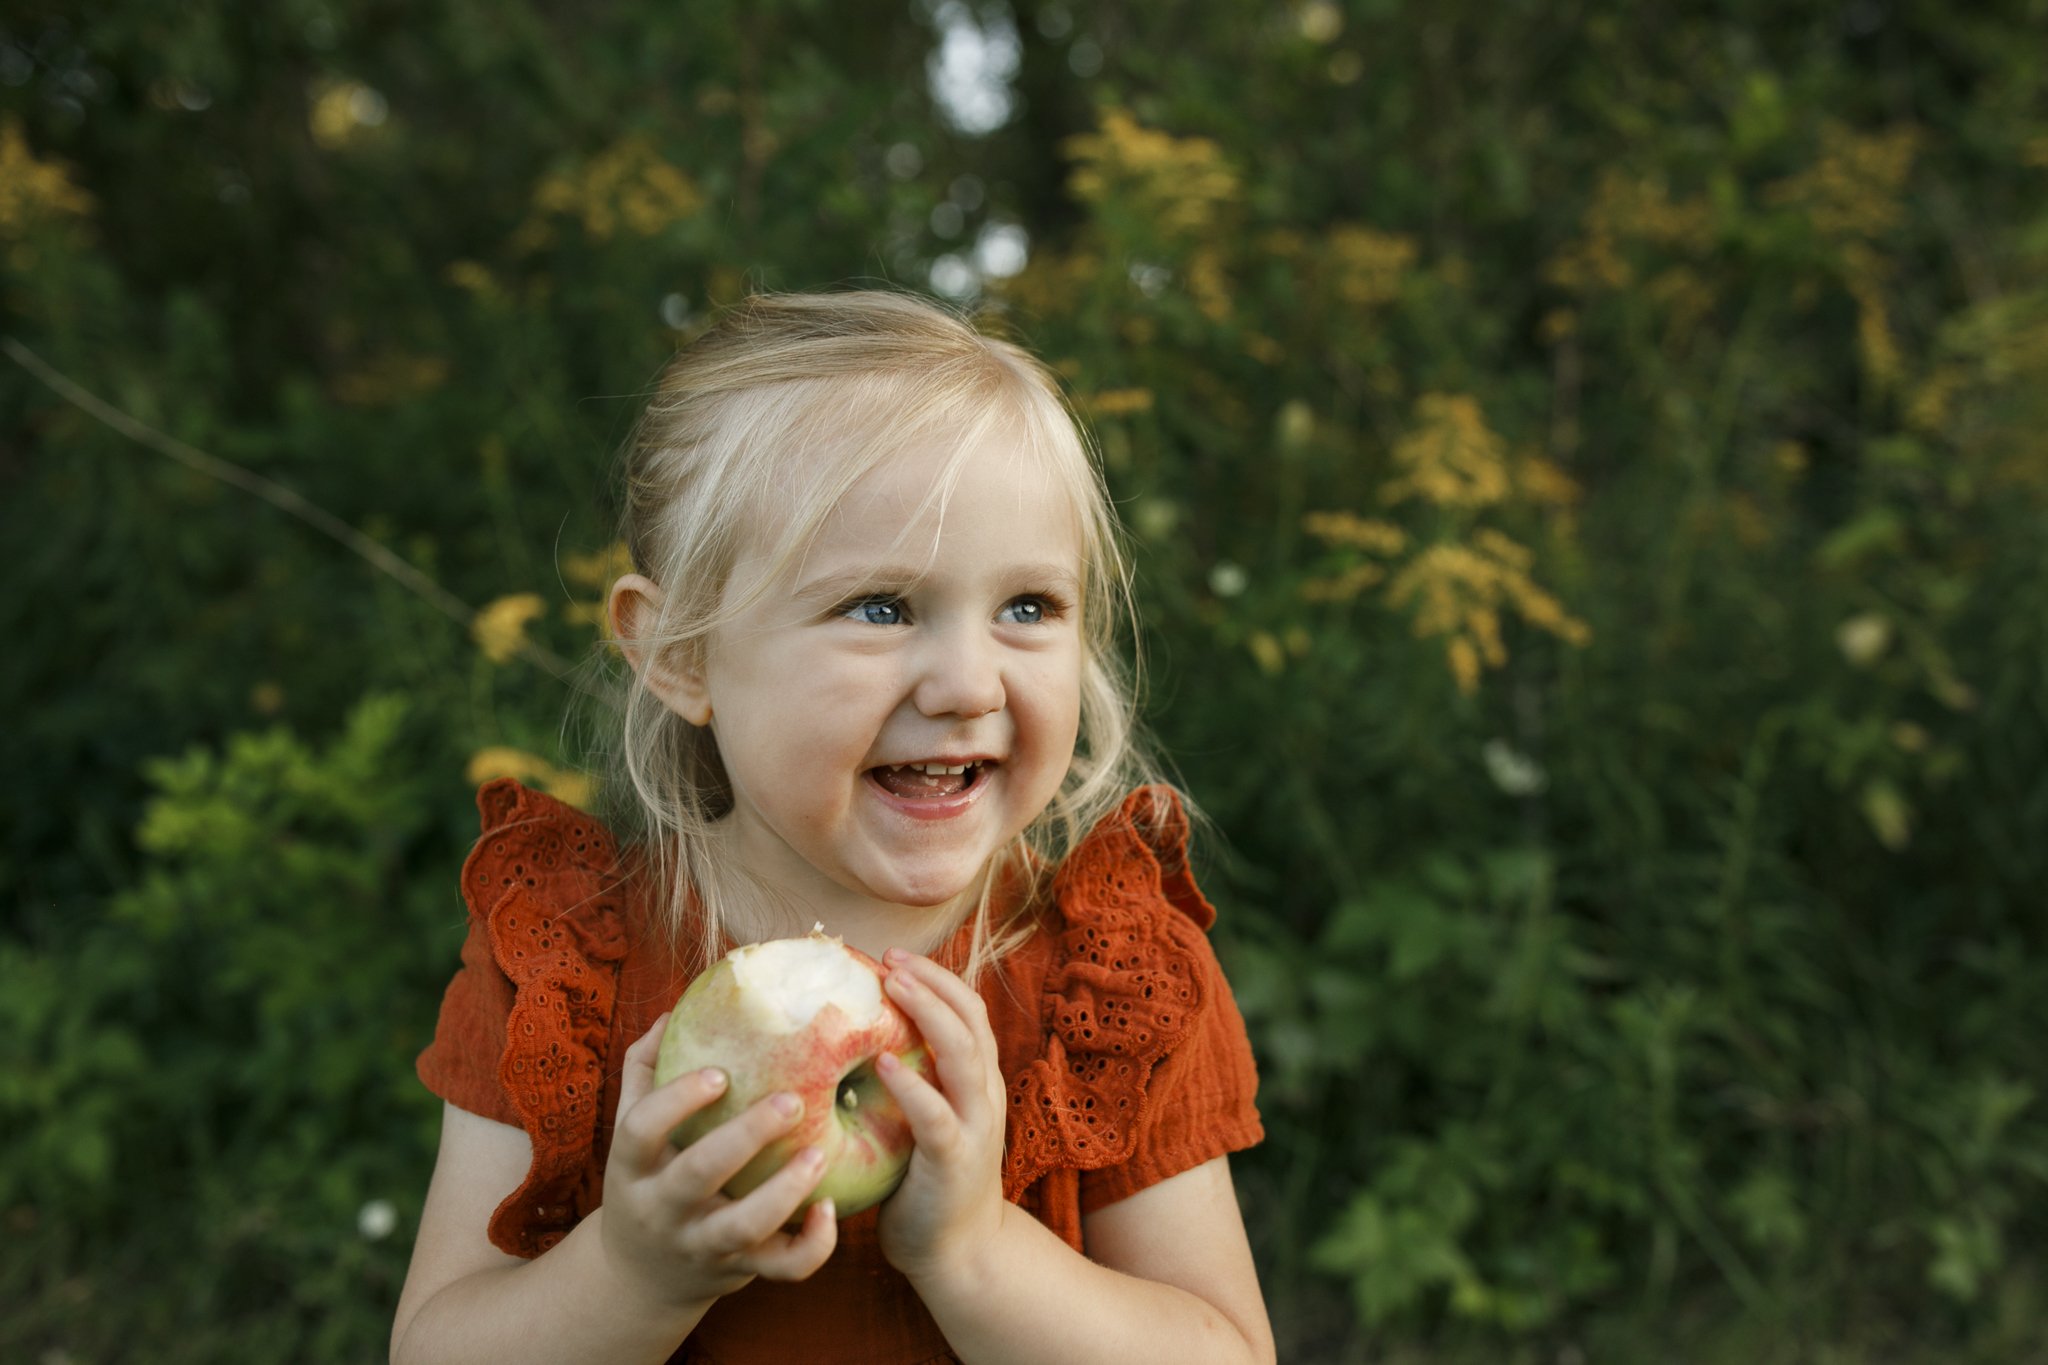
x,y
546,879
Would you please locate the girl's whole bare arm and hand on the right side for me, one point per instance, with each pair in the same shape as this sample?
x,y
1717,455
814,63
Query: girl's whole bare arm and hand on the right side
x,y
1168,1276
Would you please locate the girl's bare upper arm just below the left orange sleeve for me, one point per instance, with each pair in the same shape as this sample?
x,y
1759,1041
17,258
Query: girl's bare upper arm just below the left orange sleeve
x,y
480,1163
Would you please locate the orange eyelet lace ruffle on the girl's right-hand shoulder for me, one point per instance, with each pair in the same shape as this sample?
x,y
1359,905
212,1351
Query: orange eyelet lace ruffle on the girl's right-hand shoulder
x,y
1121,996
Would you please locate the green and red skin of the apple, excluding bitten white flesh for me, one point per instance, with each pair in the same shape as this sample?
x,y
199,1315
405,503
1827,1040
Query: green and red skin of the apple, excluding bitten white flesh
x,y
849,1114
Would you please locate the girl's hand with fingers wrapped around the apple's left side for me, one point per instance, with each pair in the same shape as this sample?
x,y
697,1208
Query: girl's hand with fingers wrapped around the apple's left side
x,y
669,1233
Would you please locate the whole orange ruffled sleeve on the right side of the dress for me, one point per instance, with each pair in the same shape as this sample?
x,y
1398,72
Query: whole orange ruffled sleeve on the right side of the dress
x,y
1146,1069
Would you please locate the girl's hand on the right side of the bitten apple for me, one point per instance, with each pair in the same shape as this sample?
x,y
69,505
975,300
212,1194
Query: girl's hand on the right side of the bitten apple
x,y
951,1204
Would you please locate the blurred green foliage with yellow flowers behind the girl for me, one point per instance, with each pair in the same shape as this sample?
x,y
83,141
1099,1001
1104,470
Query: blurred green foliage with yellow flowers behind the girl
x,y
1590,486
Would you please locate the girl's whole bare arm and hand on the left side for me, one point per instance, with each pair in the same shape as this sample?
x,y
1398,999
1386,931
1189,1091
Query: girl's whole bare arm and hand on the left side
x,y
634,1278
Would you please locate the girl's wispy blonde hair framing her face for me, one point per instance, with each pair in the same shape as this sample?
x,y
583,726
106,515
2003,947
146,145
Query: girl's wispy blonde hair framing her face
x,y
765,423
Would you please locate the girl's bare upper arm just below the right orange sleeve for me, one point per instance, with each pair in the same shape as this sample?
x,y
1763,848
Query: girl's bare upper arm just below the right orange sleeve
x,y
1187,1233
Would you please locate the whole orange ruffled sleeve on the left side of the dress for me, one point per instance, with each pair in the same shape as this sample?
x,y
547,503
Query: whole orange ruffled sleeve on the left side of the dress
x,y
527,1020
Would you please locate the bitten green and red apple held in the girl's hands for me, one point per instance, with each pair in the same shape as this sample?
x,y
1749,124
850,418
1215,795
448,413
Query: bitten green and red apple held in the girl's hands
x,y
804,1016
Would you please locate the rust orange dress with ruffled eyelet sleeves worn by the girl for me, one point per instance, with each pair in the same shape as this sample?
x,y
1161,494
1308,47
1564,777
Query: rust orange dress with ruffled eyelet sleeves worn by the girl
x,y
1121,1049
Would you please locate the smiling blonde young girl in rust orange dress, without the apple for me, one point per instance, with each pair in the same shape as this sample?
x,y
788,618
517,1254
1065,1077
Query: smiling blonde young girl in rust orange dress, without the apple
x,y
873,689
